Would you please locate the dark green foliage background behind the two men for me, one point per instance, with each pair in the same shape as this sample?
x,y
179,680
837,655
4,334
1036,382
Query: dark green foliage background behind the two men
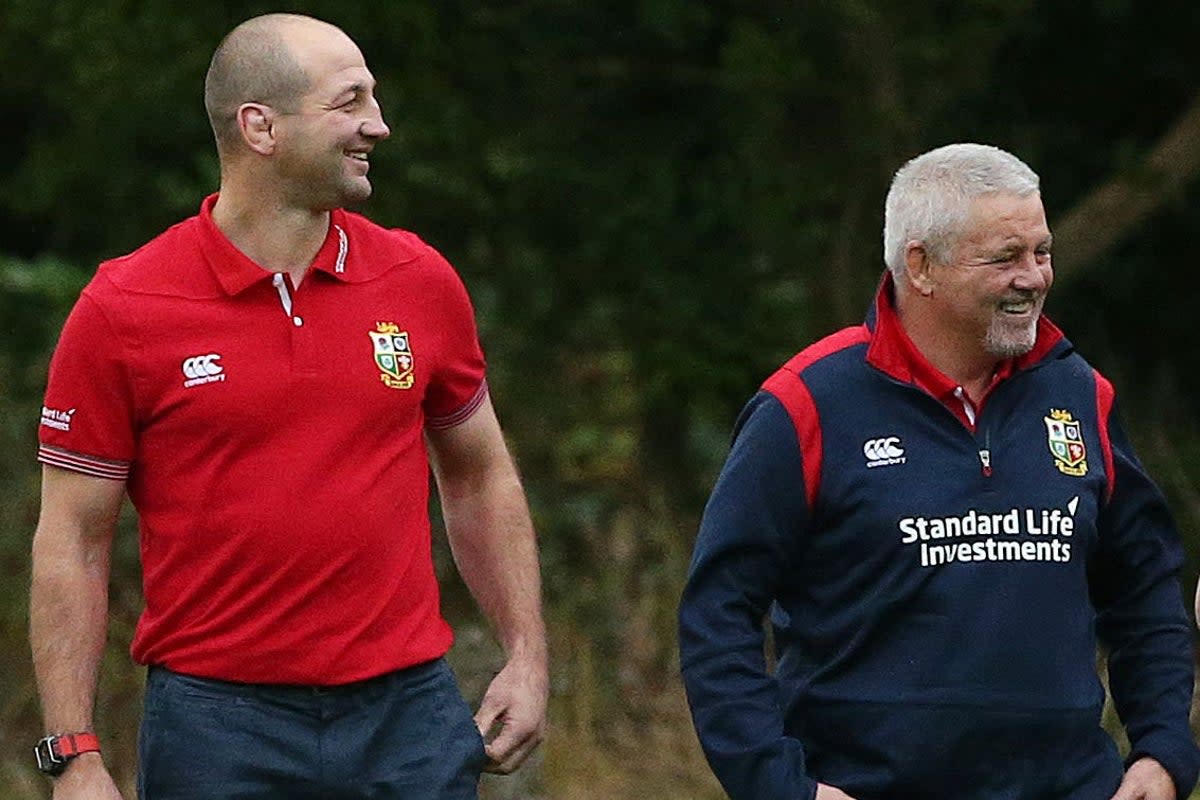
x,y
655,203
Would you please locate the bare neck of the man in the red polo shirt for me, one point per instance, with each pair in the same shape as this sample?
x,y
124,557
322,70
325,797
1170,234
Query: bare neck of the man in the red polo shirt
x,y
277,237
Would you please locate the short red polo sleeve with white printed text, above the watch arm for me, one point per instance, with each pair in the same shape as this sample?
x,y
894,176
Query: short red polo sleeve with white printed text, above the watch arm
x,y
87,422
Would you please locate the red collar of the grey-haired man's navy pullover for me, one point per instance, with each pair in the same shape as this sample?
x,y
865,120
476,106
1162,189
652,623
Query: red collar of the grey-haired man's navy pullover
x,y
893,352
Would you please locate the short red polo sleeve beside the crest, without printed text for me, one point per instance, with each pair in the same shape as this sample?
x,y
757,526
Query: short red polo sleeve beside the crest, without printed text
x,y
459,386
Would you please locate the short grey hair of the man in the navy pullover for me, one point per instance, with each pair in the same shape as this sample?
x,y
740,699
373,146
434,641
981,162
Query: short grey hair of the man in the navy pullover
x,y
931,197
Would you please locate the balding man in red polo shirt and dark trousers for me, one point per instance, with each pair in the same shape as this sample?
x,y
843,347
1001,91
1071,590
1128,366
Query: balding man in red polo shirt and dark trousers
x,y
272,381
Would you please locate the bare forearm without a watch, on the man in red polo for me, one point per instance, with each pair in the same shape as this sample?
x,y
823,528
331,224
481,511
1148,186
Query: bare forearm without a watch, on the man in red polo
x,y
495,549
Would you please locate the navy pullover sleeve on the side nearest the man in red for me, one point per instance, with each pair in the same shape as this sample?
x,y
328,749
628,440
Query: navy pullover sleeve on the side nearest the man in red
x,y
746,552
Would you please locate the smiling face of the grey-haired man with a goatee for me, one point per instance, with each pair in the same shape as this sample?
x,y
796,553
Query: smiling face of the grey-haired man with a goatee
x,y
989,293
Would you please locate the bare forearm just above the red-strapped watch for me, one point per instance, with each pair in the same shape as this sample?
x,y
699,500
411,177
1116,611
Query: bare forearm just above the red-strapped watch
x,y
69,613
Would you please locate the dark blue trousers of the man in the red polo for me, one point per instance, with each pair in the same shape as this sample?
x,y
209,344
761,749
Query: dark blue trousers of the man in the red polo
x,y
407,735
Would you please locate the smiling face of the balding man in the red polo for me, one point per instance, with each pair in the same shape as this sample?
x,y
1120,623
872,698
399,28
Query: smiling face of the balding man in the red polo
x,y
326,141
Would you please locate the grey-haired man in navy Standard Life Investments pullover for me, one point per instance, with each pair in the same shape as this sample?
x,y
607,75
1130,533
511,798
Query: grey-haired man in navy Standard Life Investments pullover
x,y
943,518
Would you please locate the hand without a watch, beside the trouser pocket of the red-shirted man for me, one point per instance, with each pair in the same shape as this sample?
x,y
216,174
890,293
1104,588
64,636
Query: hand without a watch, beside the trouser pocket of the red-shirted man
x,y
517,705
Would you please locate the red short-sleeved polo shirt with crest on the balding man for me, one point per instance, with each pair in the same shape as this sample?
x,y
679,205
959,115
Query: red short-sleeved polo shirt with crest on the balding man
x,y
272,441
